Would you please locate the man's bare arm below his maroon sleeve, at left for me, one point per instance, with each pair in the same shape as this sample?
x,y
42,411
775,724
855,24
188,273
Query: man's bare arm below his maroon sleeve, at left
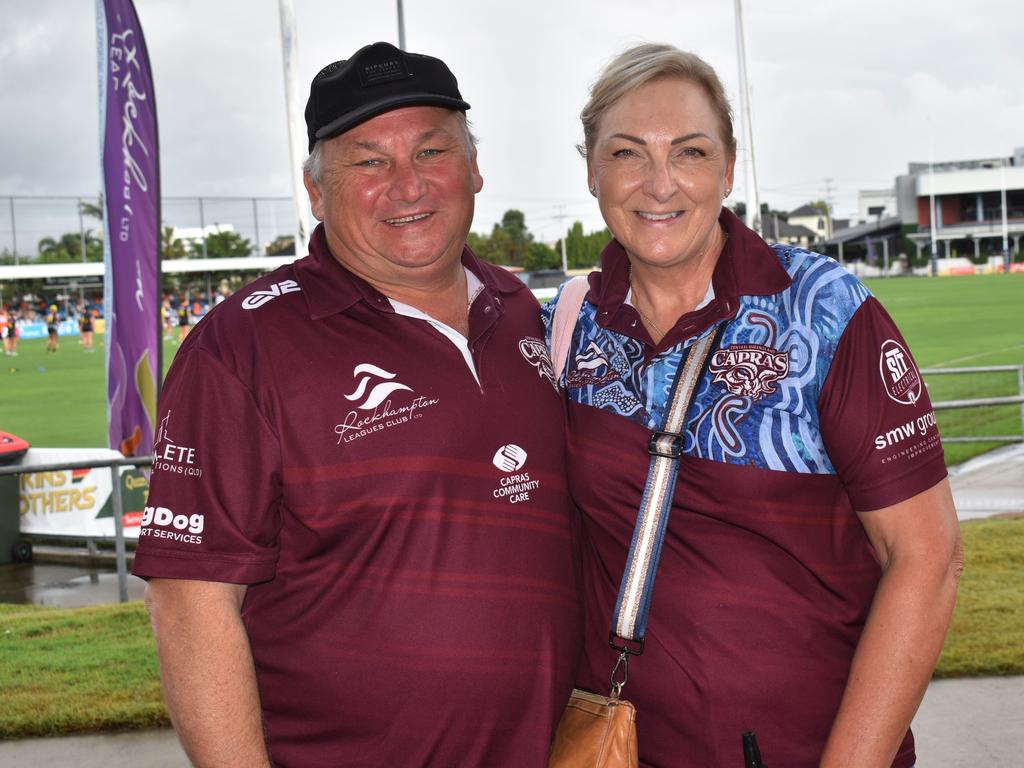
x,y
207,670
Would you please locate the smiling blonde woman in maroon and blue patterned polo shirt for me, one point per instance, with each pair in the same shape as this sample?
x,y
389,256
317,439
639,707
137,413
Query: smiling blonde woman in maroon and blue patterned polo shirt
x,y
809,569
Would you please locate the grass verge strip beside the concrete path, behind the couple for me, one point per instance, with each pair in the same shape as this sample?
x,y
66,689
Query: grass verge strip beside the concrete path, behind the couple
x,y
82,670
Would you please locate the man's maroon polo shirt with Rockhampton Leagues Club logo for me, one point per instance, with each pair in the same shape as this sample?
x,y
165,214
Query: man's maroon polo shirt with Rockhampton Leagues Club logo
x,y
403,525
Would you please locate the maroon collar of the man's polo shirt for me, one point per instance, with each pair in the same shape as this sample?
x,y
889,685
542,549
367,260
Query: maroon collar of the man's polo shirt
x,y
330,288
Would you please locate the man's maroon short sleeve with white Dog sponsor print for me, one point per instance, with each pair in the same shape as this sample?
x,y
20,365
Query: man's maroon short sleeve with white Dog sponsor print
x,y
212,513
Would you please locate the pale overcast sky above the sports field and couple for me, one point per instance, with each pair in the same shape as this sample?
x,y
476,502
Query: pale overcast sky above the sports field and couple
x,y
845,93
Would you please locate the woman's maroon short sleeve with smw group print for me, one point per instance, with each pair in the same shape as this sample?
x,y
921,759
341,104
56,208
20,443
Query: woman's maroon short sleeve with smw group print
x,y
877,419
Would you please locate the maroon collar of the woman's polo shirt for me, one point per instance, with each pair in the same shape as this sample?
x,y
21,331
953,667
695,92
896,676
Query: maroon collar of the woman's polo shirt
x,y
748,267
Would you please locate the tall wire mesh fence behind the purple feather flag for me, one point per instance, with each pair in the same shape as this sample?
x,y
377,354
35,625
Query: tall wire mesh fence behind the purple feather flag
x,y
26,221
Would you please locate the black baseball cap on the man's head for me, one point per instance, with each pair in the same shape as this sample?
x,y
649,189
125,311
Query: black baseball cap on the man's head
x,y
377,79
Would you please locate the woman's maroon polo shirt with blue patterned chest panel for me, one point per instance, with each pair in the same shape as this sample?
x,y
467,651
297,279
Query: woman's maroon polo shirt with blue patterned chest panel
x,y
810,410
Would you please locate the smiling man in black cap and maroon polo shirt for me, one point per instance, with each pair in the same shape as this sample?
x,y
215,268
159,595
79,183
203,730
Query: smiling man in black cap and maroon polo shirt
x,y
359,539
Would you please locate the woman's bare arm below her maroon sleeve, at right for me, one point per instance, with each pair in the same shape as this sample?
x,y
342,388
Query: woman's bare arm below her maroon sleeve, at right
x,y
919,546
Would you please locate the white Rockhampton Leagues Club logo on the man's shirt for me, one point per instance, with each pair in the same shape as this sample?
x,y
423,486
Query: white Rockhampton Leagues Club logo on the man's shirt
x,y
375,410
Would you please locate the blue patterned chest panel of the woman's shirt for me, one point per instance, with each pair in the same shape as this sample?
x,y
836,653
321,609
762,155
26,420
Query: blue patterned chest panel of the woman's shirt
x,y
757,406
